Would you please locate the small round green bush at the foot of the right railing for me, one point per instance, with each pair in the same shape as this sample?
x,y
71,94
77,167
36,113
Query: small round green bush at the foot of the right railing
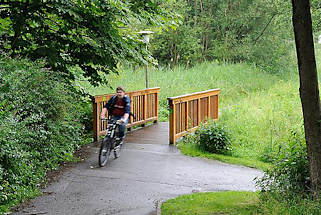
x,y
213,138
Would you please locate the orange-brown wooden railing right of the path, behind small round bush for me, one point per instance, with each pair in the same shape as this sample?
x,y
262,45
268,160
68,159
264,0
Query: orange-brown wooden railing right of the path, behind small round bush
x,y
188,111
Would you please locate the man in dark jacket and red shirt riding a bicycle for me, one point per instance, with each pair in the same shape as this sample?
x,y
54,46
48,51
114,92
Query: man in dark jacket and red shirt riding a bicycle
x,y
118,107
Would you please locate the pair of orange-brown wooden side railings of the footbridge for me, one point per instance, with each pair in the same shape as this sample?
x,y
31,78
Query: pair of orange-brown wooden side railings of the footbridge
x,y
186,112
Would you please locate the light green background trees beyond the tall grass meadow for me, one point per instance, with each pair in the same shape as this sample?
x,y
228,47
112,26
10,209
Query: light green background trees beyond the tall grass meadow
x,y
234,31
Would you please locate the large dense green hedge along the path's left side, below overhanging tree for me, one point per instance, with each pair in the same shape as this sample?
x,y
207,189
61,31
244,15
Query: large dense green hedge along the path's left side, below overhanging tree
x,y
39,127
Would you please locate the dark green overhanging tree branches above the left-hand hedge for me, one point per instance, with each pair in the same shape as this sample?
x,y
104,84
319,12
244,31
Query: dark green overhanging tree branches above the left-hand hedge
x,y
91,34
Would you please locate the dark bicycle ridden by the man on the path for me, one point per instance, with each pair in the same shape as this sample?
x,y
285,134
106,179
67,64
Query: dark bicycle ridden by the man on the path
x,y
110,142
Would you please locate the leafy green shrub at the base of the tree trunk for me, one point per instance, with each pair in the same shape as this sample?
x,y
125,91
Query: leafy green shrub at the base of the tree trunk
x,y
290,173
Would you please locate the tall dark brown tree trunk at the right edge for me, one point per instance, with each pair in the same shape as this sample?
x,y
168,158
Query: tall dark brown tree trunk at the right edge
x,y
309,92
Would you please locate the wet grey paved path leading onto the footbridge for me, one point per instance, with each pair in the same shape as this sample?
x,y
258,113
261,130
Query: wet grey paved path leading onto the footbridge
x,y
148,171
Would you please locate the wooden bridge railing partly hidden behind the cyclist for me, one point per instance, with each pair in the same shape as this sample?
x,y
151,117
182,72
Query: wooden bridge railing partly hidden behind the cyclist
x,y
144,105
